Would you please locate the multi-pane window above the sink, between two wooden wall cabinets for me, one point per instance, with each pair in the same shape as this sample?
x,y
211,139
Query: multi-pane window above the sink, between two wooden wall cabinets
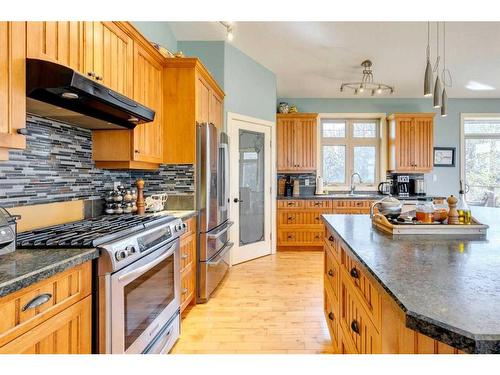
x,y
350,146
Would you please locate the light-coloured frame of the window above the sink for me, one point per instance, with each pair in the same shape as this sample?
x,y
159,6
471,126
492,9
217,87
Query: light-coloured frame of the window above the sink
x,y
380,143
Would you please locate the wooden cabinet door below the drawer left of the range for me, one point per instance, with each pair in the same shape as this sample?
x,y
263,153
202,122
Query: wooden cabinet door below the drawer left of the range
x,y
65,333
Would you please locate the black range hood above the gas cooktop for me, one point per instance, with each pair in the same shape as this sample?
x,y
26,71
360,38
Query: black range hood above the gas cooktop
x,y
57,92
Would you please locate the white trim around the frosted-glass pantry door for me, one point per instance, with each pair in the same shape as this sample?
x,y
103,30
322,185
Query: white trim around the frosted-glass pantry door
x,y
232,119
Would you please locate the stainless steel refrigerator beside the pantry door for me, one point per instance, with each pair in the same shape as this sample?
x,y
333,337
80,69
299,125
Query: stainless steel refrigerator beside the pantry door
x,y
212,202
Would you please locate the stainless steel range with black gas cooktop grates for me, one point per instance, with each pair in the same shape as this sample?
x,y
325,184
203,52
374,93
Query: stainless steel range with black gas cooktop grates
x,y
137,288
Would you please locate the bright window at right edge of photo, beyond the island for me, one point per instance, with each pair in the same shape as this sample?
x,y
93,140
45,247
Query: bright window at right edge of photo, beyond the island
x,y
481,155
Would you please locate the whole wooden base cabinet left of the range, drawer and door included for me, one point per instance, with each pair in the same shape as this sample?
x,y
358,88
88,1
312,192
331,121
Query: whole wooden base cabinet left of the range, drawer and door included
x,y
61,324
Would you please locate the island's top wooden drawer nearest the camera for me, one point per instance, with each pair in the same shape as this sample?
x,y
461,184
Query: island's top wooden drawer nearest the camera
x,y
362,284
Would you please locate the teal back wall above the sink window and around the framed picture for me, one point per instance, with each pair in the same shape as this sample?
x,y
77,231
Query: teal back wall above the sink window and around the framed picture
x,y
446,129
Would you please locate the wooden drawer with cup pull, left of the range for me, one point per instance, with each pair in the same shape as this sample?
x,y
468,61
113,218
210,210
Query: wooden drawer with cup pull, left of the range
x,y
23,310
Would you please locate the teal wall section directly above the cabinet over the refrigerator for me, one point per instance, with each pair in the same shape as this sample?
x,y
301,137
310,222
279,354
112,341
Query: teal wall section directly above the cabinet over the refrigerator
x,y
210,53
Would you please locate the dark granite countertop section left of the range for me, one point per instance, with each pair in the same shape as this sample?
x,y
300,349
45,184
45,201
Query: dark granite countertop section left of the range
x,y
24,267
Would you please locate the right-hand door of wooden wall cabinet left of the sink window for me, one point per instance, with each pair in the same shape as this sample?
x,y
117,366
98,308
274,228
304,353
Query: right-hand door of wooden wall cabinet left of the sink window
x,y
305,144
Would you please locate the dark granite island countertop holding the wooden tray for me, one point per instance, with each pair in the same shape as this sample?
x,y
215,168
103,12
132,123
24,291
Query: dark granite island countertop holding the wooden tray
x,y
449,288
